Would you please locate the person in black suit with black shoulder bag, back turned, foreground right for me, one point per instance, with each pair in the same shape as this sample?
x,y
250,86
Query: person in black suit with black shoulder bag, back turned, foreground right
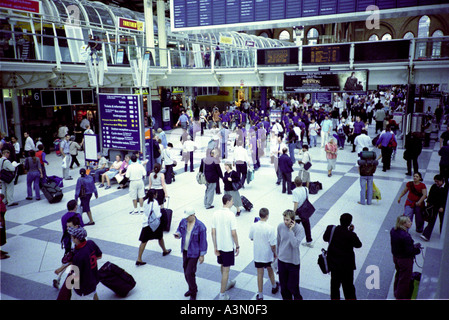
x,y
341,257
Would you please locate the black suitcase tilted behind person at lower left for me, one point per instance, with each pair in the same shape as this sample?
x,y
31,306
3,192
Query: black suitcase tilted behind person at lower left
x,y
116,279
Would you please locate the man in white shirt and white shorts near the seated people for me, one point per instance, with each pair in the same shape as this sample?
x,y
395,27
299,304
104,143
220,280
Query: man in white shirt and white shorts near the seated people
x,y
136,173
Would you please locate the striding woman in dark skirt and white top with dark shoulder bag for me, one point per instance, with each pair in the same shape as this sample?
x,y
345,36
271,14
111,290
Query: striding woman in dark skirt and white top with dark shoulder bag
x,y
151,230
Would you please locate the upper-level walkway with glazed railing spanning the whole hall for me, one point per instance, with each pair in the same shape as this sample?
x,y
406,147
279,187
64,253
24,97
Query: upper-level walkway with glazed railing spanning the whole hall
x,y
35,60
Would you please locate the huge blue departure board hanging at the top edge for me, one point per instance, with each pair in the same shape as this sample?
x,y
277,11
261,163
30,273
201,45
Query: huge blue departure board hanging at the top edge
x,y
197,14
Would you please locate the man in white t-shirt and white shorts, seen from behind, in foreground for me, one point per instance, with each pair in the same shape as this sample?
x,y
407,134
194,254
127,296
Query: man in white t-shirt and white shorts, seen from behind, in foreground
x,y
264,238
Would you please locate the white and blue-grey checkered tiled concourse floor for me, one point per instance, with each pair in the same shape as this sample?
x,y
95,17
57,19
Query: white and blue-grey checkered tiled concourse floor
x,y
34,231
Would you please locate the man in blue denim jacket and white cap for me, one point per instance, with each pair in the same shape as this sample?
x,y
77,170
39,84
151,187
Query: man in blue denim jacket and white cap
x,y
192,233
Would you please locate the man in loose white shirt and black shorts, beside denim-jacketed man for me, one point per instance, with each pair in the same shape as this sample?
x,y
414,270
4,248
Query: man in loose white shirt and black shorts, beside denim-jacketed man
x,y
224,236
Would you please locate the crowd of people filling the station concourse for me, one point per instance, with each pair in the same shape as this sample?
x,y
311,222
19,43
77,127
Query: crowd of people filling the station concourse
x,y
241,136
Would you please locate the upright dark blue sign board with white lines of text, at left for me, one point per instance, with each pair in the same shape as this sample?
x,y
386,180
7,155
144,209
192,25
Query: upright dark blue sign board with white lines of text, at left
x,y
120,121
